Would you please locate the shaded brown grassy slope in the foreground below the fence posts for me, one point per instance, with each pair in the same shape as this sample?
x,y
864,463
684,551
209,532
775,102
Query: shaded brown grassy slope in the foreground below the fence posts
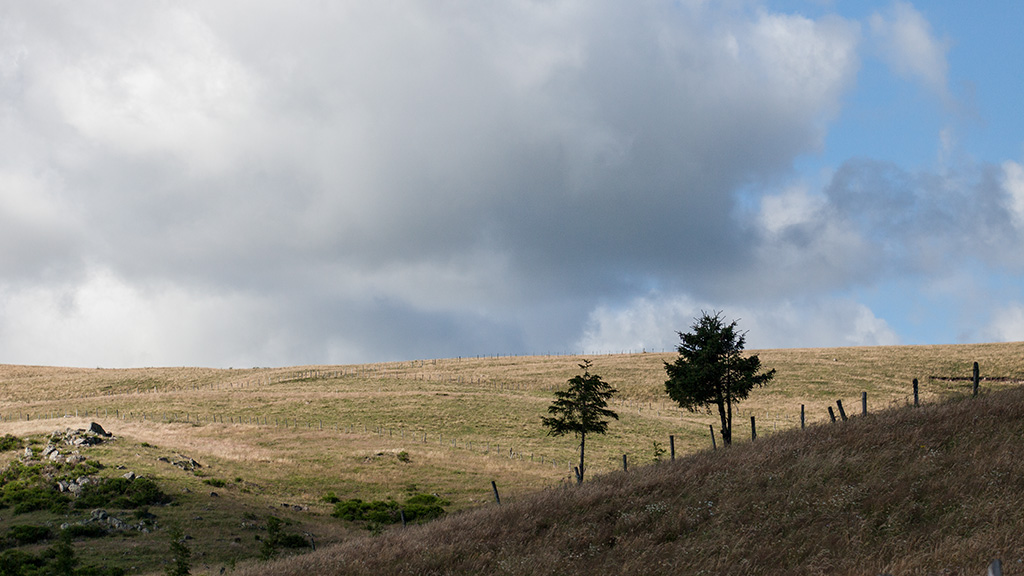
x,y
931,490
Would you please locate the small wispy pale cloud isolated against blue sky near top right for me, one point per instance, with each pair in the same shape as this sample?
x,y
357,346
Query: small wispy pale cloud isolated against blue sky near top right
x,y
909,46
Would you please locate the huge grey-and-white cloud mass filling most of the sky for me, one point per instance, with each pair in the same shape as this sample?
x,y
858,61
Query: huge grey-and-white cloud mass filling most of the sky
x,y
382,181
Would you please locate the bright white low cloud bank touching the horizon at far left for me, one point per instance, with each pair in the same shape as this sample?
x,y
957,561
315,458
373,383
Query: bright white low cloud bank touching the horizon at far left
x,y
104,321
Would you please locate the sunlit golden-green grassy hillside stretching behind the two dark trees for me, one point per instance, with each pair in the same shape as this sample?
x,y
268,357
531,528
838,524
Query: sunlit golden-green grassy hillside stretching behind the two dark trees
x,y
275,441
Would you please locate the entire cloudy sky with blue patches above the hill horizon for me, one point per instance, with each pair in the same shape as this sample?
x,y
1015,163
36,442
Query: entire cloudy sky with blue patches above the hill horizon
x,y
242,184
